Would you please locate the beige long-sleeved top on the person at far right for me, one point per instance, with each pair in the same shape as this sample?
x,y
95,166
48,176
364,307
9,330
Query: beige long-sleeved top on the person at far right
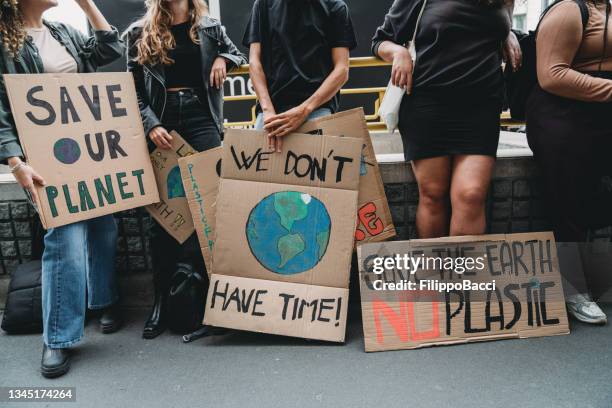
x,y
564,54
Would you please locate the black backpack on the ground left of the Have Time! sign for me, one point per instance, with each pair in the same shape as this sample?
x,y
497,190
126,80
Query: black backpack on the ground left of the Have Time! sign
x,y
186,300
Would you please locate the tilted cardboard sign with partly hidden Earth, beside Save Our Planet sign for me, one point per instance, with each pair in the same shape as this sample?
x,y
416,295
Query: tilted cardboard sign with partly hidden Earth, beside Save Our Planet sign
x,y
172,212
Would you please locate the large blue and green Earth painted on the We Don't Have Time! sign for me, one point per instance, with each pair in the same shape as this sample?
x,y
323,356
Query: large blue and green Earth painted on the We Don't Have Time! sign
x,y
288,232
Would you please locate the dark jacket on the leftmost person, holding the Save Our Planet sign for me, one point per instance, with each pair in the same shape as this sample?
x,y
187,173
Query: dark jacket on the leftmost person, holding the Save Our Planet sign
x,y
89,52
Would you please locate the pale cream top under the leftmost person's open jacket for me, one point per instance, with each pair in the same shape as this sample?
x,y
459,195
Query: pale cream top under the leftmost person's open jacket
x,y
54,55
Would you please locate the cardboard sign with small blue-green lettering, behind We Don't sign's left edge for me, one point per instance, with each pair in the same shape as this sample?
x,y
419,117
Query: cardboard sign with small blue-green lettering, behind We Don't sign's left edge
x,y
201,173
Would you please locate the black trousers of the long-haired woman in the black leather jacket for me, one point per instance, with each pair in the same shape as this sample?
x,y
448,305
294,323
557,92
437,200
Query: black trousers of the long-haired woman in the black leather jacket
x,y
187,113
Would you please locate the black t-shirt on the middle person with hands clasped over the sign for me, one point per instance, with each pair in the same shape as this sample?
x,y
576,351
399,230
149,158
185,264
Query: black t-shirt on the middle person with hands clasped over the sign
x,y
296,38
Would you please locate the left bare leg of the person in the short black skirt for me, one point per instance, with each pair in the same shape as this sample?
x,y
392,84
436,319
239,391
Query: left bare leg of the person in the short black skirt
x,y
433,178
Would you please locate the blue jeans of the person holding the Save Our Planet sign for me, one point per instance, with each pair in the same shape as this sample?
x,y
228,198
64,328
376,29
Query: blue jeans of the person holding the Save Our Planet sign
x,y
78,264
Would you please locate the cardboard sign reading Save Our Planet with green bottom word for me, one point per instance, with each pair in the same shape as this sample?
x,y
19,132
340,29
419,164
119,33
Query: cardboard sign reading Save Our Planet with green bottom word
x,y
84,135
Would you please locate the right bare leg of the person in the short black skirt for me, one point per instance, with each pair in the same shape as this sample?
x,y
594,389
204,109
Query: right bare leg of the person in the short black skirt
x,y
471,176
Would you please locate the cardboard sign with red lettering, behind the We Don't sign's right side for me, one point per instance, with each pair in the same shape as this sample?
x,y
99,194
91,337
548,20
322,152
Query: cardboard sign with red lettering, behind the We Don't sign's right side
x,y
374,222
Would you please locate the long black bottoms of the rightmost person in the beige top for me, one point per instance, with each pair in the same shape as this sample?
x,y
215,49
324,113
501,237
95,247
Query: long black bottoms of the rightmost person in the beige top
x,y
572,146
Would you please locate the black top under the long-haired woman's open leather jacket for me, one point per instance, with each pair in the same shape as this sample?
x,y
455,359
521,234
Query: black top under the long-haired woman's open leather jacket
x,y
186,72
